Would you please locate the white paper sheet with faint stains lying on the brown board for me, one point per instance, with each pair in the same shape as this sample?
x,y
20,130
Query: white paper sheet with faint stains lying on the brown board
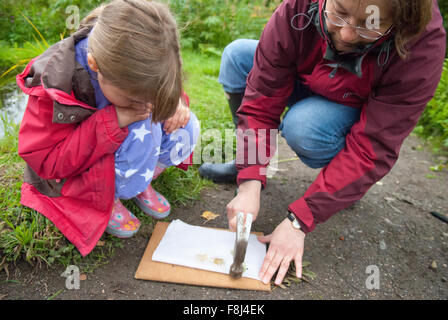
x,y
207,249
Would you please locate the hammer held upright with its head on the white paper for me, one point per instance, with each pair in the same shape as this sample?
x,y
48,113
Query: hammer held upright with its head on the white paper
x,y
241,241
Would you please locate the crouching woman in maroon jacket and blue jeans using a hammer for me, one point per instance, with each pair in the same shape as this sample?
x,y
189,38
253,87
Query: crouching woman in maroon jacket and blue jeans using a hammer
x,y
355,88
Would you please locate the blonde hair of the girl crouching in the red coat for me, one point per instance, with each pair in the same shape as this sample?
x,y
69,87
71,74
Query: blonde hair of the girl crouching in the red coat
x,y
135,44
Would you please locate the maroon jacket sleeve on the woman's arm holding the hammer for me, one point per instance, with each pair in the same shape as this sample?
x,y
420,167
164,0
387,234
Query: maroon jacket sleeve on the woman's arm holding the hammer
x,y
269,86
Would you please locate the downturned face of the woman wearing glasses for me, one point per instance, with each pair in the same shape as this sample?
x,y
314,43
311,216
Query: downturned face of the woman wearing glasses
x,y
346,38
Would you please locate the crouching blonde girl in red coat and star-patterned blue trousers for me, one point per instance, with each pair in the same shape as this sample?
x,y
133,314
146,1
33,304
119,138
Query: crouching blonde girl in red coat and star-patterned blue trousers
x,y
92,132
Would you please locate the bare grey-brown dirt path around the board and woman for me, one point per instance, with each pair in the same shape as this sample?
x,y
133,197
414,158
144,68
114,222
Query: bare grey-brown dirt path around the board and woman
x,y
390,228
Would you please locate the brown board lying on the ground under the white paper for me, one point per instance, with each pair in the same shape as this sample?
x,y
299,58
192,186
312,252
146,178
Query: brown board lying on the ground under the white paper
x,y
165,272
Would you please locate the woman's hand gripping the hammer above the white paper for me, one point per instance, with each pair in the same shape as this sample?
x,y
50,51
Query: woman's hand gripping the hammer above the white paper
x,y
247,200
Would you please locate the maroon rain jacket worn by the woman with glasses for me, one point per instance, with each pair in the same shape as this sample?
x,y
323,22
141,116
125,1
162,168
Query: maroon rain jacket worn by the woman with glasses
x,y
391,93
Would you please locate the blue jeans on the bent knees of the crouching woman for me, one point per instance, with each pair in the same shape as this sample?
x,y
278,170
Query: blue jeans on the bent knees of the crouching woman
x,y
314,127
